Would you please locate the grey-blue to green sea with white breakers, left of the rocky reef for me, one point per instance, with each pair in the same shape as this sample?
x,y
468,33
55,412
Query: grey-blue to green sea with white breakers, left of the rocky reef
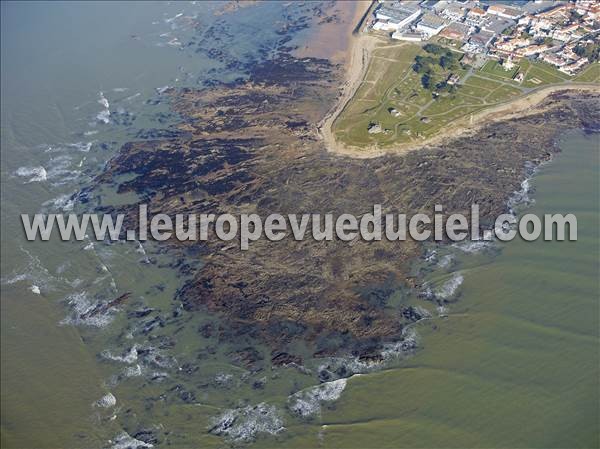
x,y
78,80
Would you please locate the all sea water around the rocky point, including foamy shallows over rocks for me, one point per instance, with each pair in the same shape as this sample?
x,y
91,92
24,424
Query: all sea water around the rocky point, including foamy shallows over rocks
x,y
513,363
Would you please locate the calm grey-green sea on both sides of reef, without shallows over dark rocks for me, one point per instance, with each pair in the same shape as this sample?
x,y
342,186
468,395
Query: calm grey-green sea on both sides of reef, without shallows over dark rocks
x,y
515,364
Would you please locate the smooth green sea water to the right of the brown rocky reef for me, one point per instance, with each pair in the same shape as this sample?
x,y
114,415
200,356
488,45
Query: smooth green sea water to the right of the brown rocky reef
x,y
516,363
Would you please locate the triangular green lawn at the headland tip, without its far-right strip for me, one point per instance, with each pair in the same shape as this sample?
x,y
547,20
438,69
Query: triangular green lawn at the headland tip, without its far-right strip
x,y
393,97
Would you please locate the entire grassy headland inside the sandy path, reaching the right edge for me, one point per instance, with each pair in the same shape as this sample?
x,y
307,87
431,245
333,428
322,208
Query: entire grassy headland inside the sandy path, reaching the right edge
x,y
393,97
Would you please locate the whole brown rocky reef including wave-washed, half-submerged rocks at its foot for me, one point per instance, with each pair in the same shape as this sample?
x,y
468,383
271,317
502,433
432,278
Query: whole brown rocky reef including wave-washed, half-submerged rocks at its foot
x,y
310,312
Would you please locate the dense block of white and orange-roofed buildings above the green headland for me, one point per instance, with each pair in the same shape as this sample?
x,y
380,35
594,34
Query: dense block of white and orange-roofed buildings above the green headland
x,y
548,31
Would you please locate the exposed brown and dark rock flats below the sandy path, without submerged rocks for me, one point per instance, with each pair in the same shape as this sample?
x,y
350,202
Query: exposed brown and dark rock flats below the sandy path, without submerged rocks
x,y
253,147
